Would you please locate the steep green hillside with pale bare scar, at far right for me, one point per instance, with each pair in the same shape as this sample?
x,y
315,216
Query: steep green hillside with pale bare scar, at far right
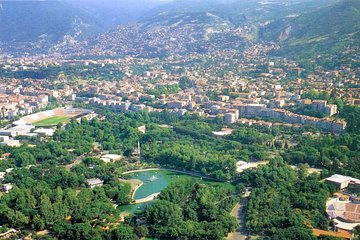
x,y
328,30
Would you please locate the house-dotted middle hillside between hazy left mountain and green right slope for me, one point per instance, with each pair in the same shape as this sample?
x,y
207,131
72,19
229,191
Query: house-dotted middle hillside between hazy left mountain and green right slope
x,y
186,26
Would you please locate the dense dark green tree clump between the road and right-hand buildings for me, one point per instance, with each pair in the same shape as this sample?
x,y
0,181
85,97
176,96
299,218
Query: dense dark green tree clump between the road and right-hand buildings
x,y
282,202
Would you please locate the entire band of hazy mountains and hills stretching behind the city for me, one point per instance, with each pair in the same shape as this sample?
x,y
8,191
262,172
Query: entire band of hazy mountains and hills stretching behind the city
x,y
303,28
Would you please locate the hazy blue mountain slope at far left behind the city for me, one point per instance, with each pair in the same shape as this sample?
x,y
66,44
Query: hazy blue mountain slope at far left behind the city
x,y
36,26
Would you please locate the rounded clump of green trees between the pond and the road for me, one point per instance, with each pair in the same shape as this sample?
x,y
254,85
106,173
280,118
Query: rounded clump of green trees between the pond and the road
x,y
192,211
